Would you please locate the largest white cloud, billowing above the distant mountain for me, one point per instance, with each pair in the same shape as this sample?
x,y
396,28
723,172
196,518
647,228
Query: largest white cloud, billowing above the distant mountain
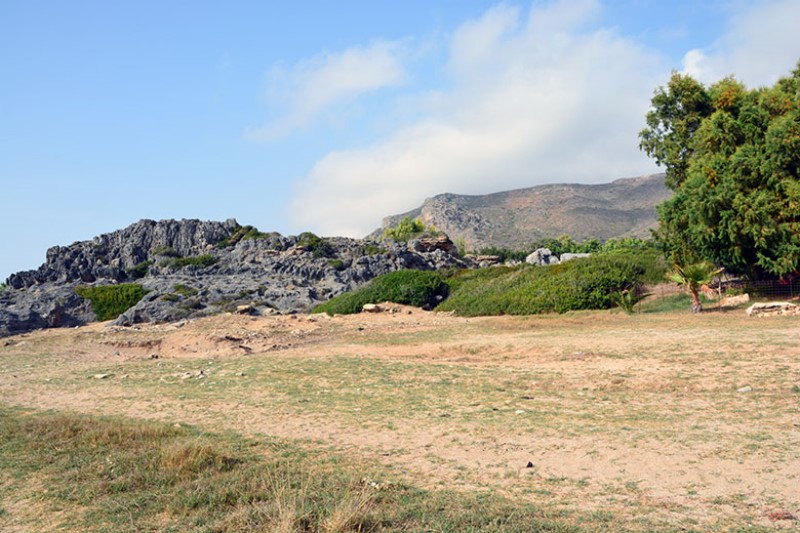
x,y
534,101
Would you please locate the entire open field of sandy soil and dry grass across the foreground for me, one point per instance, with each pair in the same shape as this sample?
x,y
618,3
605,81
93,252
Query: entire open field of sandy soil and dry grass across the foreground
x,y
411,421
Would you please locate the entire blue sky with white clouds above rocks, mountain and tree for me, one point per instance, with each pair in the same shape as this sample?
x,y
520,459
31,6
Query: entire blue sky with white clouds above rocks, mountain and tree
x,y
327,116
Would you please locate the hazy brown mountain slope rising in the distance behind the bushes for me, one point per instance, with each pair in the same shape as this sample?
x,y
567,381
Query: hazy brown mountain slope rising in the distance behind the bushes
x,y
513,219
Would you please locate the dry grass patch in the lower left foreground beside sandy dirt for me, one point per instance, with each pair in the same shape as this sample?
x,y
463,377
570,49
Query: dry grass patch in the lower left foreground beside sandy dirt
x,y
112,474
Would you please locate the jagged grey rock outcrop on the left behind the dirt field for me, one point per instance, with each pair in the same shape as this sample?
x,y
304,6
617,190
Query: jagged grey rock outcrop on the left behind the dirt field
x,y
194,268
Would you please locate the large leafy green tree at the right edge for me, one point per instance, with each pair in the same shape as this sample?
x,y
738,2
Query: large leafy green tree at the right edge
x,y
732,156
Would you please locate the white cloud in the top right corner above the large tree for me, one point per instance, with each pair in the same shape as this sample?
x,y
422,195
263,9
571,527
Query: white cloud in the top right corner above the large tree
x,y
760,45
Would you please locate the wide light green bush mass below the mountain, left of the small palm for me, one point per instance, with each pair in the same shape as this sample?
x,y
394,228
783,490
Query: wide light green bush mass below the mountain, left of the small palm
x,y
586,283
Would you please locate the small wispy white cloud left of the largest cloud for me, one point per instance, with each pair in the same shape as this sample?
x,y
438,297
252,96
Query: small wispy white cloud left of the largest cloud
x,y
315,86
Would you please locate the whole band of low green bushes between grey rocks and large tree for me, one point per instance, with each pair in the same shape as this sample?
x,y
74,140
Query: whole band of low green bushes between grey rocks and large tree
x,y
578,284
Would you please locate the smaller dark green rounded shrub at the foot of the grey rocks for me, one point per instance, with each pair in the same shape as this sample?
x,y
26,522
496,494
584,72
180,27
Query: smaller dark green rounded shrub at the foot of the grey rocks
x,y
409,287
